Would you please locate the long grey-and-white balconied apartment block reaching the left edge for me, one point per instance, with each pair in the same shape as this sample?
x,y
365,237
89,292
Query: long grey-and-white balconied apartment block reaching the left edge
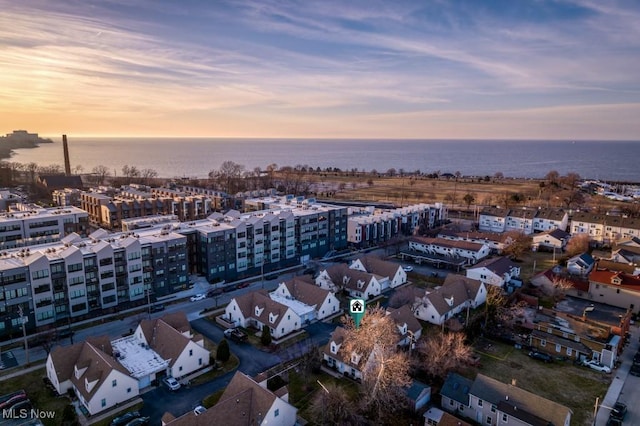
x,y
78,277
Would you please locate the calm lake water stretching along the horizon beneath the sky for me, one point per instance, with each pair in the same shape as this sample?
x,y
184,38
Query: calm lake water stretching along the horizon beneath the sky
x,y
196,157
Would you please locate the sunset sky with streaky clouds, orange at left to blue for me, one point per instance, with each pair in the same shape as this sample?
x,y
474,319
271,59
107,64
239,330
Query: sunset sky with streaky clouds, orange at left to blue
x,y
429,69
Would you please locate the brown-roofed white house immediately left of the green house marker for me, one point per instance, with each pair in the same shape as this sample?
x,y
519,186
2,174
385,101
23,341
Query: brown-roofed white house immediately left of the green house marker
x,y
322,303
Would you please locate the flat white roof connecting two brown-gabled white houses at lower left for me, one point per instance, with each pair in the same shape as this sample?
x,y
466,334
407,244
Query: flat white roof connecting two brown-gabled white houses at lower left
x,y
137,357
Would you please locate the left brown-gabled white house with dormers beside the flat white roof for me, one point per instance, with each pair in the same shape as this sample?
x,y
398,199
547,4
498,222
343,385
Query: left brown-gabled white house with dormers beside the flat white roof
x,y
97,378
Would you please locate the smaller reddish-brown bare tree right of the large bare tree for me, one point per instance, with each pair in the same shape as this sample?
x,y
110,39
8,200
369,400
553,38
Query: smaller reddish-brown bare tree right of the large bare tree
x,y
442,352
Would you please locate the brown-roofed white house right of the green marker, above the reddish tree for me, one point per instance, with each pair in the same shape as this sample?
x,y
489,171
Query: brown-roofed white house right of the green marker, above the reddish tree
x,y
454,296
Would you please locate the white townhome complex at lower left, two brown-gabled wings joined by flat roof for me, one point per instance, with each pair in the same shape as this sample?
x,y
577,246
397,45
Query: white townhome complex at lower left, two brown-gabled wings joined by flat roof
x,y
104,373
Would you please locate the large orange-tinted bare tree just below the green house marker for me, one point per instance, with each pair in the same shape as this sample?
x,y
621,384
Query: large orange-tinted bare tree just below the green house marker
x,y
386,371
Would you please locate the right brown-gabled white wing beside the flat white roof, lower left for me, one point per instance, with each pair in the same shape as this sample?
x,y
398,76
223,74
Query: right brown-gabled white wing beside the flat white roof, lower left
x,y
171,337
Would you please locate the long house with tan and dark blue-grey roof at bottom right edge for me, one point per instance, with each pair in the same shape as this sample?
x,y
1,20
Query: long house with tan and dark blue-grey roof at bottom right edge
x,y
485,400
